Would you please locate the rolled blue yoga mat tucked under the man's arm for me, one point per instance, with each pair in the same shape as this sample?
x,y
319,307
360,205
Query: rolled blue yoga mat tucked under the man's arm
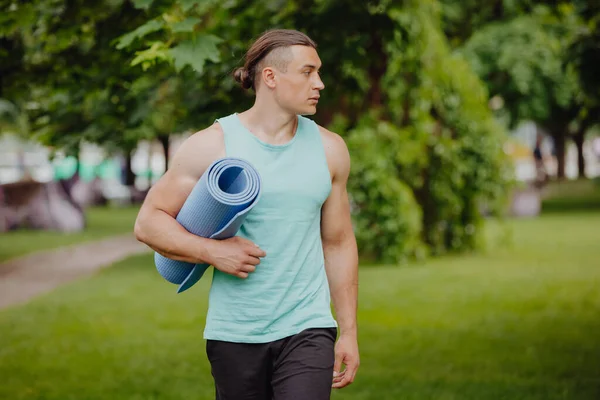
x,y
216,209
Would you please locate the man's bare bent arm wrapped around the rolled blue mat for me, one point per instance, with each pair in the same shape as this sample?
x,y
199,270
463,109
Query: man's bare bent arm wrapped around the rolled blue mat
x,y
157,227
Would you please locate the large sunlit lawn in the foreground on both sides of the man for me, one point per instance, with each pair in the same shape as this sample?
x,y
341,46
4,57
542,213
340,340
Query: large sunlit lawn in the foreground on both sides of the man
x,y
520,322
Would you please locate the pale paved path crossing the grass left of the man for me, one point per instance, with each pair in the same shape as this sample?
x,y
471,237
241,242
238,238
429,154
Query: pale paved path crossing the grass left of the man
x,y
38,273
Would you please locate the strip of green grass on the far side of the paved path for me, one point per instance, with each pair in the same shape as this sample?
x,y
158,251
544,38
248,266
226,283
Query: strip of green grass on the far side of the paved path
x,y
102,222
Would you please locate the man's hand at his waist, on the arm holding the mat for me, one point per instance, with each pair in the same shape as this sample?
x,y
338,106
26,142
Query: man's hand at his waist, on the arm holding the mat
x,y
235,256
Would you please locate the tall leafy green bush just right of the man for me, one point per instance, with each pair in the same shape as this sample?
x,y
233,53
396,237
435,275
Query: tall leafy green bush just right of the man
x,y
425,162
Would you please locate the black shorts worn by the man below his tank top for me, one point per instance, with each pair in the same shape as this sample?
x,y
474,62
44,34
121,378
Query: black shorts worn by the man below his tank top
x,y
298,367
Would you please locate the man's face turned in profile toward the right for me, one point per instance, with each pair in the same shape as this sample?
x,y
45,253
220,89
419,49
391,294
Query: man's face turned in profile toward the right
x,y
297,89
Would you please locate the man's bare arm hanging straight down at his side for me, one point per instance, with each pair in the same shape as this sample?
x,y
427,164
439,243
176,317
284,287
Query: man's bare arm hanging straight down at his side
x,y
341,260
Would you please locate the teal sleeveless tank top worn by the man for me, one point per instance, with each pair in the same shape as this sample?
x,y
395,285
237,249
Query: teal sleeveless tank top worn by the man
x,y
289,291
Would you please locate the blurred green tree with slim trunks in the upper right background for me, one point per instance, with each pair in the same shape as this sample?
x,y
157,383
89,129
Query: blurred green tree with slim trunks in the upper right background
x,y
539,61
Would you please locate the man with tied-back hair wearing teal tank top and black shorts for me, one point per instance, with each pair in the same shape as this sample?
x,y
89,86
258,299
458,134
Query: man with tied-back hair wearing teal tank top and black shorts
x,y
269,330
